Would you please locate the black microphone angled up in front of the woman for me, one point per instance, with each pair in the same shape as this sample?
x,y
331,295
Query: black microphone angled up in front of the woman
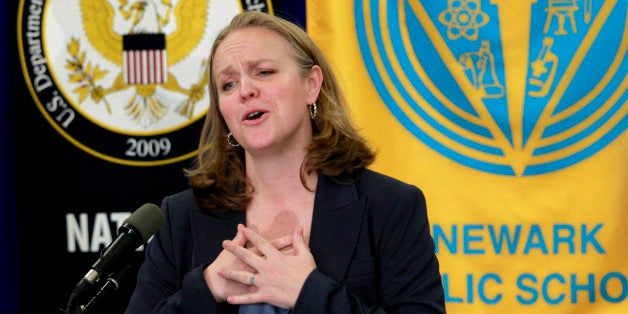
x,y
135,231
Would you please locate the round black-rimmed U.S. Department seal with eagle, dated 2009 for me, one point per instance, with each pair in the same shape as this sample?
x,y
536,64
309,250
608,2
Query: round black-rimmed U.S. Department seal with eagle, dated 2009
x,y
125,81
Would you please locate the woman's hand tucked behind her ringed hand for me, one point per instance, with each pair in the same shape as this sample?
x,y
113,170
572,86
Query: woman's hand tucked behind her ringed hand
x,y
221,287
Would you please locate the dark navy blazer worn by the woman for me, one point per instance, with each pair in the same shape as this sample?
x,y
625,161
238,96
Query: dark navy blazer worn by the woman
x,y
370,238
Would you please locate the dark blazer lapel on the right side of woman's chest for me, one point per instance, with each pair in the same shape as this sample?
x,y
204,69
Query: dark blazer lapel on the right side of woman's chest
x,y
338,215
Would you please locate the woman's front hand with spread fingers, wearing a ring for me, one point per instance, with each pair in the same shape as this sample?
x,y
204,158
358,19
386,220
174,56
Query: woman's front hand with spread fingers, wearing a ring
x,y
279,276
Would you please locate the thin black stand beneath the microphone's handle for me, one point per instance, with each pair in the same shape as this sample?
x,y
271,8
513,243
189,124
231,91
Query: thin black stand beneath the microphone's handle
x,y
111,284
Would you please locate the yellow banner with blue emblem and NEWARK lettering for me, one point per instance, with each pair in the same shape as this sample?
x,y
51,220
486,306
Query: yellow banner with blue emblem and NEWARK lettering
x,y
511,117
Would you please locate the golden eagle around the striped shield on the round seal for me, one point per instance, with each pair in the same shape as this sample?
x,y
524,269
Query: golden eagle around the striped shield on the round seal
x,y
147,17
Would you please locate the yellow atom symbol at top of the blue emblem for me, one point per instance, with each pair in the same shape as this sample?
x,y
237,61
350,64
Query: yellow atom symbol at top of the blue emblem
x,y
463,18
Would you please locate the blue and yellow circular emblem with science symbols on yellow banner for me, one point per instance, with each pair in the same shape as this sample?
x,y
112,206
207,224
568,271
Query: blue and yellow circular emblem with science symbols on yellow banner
x,y
513,88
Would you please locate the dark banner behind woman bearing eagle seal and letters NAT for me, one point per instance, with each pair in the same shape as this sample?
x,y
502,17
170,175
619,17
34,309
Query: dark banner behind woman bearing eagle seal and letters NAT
x,y
82,147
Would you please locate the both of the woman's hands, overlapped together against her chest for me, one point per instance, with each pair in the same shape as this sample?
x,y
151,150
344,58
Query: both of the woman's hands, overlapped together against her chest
x,y
278,274
